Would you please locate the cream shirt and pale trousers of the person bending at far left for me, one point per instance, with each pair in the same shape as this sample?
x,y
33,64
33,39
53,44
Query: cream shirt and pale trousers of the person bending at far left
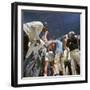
x,y
33,30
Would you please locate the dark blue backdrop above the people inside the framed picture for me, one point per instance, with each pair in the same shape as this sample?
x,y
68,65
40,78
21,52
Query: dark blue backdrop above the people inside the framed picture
x,y
59,23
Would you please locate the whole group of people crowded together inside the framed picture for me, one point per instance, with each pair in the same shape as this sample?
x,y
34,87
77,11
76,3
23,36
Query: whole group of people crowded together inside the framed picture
x,y
50,57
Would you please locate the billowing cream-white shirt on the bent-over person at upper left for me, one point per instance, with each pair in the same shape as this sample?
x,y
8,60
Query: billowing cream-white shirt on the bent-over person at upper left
x,y
33,30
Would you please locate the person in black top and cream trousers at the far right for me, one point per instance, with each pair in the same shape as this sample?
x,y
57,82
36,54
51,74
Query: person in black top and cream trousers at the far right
x,y
72,43
